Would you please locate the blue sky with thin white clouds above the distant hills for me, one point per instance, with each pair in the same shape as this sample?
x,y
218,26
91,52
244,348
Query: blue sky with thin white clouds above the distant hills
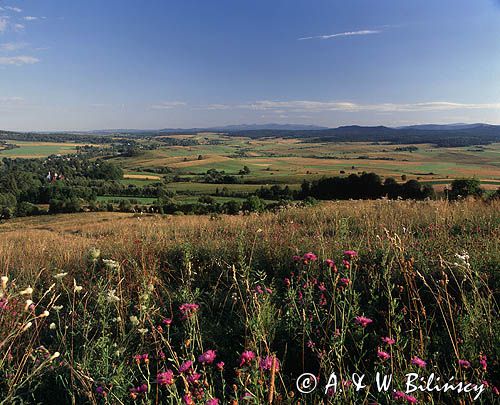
x,y
98,64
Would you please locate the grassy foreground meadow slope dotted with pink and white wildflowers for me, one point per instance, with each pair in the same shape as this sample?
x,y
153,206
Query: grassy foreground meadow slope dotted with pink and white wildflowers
x,y
135,298
